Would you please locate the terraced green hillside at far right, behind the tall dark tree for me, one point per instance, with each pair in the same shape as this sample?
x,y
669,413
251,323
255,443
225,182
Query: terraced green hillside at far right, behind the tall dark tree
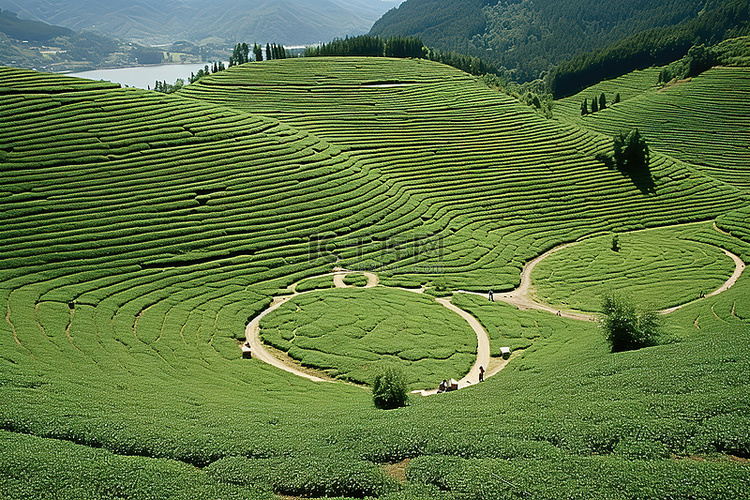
x,y
702,121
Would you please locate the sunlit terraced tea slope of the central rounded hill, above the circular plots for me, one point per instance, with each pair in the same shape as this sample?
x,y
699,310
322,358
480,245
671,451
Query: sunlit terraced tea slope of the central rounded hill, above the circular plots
x,y
472,157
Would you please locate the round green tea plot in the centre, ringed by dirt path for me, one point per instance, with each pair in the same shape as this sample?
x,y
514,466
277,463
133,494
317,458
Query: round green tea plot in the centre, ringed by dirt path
x,y
352,334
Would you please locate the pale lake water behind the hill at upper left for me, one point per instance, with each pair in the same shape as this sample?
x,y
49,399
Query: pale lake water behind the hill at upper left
x,y
143,76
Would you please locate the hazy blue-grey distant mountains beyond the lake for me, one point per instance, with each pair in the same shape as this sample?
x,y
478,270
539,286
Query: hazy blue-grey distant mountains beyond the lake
x,y
166,21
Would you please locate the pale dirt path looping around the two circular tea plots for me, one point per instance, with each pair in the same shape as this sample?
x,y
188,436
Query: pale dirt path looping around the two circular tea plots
x,y
518,297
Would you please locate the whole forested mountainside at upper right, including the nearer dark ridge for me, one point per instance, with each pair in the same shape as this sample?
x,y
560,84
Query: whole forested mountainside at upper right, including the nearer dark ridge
x,y
528,38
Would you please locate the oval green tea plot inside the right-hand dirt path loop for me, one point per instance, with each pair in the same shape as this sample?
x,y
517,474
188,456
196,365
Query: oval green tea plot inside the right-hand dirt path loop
x,y
663,267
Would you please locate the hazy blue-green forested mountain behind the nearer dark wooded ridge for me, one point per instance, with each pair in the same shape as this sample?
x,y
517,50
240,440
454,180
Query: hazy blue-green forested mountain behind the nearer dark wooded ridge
x,y
529,37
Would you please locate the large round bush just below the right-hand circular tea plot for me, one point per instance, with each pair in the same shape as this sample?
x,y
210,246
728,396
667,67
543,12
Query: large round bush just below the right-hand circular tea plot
x,y
625,327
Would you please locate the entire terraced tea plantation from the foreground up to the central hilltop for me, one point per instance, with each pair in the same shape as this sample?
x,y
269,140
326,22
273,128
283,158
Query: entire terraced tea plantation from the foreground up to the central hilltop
x,y
141,232
